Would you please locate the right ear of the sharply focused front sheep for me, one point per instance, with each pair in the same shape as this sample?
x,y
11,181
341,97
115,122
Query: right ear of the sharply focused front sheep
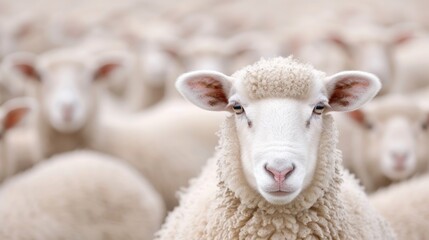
x,y
349,90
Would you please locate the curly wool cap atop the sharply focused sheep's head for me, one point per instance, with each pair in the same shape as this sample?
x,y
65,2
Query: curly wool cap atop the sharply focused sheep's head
x,y
278,78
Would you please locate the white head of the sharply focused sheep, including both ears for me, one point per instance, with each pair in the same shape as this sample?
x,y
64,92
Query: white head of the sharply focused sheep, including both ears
x,y
279,134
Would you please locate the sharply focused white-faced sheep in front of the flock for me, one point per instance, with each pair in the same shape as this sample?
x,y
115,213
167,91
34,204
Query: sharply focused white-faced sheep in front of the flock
x,y
276,173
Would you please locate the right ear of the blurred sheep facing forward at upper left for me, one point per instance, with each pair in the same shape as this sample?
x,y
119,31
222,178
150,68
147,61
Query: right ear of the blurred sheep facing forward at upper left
x,y
108,64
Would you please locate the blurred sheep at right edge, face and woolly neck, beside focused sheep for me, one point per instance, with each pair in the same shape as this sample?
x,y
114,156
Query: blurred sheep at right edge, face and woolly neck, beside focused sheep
x,y
389,141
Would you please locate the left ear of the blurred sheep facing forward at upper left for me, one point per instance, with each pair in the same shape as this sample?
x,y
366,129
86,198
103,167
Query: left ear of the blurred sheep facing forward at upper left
x,y
23,64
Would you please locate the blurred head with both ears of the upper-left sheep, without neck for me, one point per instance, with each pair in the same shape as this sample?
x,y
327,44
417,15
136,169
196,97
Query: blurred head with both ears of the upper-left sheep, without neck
x,y
65,83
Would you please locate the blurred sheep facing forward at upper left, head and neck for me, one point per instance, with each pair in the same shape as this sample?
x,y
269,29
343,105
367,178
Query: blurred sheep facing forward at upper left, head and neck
x,y
63,85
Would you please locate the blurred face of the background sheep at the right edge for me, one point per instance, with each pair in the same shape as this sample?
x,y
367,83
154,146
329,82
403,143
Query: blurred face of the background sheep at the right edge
x,y
396,135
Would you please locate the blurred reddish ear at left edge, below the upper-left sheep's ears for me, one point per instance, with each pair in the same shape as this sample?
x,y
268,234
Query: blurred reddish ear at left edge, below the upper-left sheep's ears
x,y
14,111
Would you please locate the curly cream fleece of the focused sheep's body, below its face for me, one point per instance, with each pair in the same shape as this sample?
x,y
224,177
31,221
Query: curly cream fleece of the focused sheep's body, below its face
x,y
221,205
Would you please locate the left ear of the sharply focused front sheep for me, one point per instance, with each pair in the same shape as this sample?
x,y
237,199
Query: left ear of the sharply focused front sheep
x,y
206,89
